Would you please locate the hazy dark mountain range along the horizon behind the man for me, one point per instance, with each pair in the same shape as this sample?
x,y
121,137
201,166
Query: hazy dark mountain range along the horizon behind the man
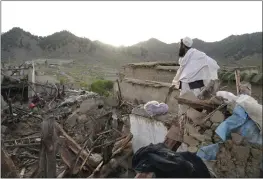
x,y
18,44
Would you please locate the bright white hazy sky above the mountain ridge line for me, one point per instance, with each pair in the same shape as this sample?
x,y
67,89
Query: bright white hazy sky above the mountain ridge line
x,y
127,23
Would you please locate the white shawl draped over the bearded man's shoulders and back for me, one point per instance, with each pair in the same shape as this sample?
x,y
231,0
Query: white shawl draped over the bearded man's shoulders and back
x,y
196,65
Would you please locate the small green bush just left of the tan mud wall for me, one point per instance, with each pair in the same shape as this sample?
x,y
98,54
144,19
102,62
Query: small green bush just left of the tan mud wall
x,y
102,87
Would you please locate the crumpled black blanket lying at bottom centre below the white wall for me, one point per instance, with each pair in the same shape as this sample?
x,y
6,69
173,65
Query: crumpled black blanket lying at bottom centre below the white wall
x,y
165,163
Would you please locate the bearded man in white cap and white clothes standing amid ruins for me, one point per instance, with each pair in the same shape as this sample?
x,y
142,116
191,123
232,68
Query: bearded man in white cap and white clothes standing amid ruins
x,y
196,69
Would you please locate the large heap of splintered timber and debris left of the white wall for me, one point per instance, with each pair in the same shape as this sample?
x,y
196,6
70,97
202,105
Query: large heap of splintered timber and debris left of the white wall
x,y
67,133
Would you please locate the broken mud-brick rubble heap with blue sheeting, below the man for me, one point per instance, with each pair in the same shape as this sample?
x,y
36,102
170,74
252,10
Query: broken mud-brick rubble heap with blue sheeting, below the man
x,y
238,156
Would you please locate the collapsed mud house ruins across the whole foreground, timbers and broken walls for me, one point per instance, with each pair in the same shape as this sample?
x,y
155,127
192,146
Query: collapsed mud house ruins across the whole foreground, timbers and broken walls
x,y
81,134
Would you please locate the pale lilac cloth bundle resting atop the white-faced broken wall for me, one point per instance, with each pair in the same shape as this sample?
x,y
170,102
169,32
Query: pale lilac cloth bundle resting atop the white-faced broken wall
x,y
154,108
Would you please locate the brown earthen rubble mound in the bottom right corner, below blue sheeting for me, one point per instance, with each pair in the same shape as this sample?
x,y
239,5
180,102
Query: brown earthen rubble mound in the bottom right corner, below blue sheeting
x,y
238,159
